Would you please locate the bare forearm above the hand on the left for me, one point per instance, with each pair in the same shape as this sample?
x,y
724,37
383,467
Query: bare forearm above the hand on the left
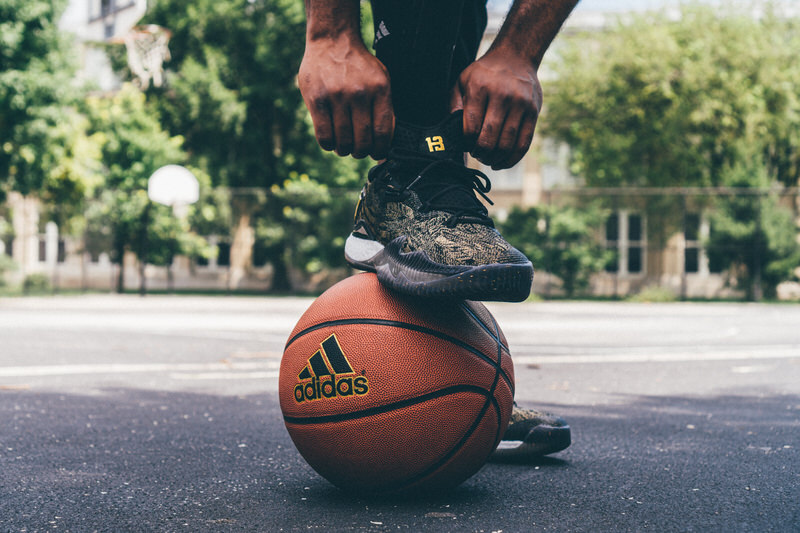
x,y
333,19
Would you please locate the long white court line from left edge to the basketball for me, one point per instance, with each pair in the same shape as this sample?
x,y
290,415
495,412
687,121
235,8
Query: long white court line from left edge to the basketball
x,y
72,370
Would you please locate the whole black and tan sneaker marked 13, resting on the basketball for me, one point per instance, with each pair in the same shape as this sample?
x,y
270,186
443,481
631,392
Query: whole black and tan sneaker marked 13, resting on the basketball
x,y
421,227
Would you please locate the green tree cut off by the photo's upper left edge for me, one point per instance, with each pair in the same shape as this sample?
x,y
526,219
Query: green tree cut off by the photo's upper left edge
x,y
37,94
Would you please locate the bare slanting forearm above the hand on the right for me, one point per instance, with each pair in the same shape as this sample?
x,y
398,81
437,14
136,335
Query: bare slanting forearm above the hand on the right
x,y
530,27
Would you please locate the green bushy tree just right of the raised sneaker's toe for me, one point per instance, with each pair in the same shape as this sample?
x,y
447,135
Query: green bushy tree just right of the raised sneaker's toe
x,y
560,240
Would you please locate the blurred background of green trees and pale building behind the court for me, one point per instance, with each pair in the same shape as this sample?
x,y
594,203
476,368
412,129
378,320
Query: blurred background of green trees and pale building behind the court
x,y
665,164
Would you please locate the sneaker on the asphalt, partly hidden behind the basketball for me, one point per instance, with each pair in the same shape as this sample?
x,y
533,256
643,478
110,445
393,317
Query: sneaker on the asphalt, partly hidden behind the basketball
x,y
532,434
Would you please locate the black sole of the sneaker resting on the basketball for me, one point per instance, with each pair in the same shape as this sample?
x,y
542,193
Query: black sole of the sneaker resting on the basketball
x,y
416,275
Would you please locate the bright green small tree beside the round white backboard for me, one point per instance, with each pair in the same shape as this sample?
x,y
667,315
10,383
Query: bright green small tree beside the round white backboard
x,y
133,146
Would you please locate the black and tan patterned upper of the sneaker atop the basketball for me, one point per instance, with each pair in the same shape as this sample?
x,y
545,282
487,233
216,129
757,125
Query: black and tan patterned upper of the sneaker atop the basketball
x,y
424,193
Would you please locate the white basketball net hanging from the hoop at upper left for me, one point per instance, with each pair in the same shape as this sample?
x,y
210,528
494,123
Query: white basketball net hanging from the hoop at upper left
x,y
147,50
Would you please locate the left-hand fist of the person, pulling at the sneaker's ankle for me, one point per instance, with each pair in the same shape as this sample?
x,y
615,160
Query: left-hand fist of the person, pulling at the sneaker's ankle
x,y
347,92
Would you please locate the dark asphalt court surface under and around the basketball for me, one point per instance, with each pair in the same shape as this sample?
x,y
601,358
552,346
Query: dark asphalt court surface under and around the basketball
x,y
160,414
